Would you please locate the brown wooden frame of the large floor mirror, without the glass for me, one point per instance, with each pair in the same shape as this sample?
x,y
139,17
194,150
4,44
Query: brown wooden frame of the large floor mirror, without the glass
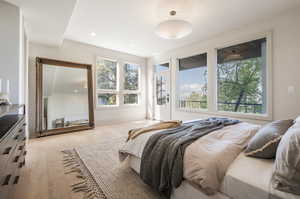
x,y
39,96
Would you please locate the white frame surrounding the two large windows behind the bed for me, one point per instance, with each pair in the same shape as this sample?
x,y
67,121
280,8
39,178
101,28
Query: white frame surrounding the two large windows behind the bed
x,y
212,81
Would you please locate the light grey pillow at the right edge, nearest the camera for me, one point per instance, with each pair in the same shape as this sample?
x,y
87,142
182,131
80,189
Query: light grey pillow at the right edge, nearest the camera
x,y
286,174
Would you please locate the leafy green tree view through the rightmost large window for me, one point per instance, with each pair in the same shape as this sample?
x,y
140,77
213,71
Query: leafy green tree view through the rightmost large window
x,y
239,84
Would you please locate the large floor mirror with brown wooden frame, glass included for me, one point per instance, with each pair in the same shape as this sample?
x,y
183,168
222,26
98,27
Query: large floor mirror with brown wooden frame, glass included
x,y
64,97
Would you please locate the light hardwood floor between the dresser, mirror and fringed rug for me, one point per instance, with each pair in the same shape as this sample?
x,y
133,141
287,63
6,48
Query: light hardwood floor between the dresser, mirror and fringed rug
x,y
43,176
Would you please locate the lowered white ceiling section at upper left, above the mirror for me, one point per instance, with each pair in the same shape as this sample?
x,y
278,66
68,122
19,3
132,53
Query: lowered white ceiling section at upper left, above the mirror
x,y
46,20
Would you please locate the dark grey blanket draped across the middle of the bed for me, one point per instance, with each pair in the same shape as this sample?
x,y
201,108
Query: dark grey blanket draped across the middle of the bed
x,y
162,158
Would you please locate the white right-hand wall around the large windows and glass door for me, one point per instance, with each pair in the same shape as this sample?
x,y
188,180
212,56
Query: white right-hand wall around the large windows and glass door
x,y
285,58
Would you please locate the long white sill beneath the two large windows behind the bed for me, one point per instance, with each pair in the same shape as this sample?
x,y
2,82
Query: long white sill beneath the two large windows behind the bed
x,y
261,117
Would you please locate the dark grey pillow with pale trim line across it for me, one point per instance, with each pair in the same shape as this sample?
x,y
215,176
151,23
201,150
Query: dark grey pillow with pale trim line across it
x,y
264,144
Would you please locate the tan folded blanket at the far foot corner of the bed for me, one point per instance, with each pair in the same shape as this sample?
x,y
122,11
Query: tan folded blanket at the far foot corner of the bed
x,y
133,133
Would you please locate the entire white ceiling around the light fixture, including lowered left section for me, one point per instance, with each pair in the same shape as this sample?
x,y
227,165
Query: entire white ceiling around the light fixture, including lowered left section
x,y
128,25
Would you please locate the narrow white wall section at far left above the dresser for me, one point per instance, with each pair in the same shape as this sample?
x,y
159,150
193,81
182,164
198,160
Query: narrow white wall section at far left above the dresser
x,y
11,48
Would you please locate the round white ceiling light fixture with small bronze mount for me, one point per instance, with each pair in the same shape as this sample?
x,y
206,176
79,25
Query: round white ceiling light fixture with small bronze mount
x,y
174,28
